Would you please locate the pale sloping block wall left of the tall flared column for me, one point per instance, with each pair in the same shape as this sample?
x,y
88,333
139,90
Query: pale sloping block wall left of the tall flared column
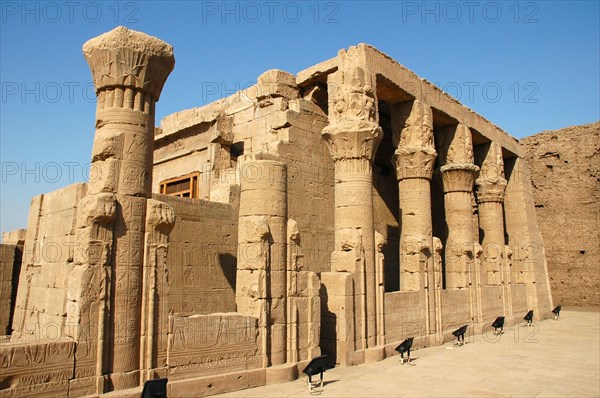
x,y
40,310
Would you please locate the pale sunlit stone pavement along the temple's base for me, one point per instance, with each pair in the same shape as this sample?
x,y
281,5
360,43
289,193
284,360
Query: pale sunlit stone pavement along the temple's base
x,y
552,359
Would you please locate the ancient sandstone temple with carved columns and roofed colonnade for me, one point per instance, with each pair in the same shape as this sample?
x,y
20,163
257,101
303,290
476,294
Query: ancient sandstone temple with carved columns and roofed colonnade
x,y
337,211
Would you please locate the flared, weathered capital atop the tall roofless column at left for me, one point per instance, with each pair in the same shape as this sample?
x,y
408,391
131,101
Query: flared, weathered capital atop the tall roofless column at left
x,y
124,58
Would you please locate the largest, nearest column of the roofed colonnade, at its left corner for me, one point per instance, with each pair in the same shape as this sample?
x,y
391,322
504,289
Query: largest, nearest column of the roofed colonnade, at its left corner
x,y
352,136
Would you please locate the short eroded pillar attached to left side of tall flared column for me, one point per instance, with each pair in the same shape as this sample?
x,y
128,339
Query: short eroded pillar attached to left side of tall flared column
x,y
88,295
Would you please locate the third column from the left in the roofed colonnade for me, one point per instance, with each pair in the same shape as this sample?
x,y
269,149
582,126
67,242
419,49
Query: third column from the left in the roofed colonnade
x,y
458,176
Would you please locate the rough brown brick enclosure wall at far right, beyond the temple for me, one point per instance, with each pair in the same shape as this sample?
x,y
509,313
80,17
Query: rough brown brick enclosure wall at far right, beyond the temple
x,y
565,174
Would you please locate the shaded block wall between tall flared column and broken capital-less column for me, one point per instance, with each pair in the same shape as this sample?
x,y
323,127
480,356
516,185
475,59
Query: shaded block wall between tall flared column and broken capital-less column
x,y
202,256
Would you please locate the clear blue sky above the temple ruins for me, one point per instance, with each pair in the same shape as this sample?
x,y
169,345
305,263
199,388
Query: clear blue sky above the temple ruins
x,y
527,66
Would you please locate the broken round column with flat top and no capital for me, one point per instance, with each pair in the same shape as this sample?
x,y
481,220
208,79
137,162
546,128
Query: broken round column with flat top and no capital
x,y
262,242
